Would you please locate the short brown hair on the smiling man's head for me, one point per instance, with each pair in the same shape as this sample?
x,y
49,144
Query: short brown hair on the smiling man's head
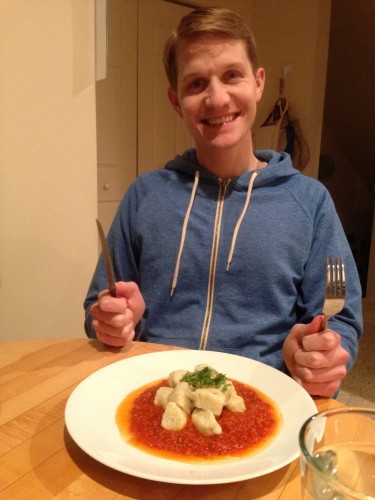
x,y
215,21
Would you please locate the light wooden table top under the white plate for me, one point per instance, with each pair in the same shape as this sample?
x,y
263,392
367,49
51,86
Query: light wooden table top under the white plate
x,y
38,458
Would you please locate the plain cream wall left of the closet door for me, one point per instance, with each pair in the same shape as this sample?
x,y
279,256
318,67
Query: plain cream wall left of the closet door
x,y
48,197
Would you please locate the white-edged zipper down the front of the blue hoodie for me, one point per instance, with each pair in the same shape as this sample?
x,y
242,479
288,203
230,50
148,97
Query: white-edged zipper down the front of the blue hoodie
x,y
213,261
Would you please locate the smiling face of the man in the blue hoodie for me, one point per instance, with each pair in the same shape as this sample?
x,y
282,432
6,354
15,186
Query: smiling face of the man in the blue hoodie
x,y
217,92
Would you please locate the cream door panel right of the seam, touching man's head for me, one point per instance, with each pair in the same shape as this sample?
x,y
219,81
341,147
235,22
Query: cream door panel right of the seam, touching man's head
x,y
161,133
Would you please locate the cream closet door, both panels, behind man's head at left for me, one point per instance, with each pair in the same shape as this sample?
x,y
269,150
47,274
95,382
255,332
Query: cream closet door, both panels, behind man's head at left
x,y
137,129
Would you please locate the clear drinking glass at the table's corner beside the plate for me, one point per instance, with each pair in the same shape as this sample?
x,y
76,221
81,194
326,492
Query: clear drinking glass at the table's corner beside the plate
x,y
338,455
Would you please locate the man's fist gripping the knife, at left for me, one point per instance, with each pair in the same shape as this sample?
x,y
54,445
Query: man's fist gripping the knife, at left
x,y
114,319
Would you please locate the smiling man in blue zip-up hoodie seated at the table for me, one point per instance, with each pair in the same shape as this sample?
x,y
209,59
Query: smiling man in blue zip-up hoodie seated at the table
x,y
224,249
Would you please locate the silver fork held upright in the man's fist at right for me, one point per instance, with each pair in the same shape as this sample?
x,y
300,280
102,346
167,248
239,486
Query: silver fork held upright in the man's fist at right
x,y
335,289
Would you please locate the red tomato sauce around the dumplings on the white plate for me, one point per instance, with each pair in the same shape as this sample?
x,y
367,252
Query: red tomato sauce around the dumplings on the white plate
x,y
139,421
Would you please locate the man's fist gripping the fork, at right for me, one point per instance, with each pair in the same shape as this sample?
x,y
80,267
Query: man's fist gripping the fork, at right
x,y
315,359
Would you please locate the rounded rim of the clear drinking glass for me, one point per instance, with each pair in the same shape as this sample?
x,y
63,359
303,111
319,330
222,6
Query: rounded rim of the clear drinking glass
x,y
311,460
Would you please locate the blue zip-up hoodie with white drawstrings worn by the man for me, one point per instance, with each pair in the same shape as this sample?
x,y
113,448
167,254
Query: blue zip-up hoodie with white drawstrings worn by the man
x,y
230,266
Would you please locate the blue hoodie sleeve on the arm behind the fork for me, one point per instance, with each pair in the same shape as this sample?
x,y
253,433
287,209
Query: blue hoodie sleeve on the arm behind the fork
x,y
329,240
